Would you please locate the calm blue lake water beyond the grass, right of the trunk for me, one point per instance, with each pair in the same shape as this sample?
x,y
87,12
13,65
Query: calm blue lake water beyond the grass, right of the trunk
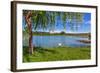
x,y
54,41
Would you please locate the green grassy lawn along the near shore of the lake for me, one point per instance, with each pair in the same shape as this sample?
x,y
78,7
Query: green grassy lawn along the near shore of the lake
x,y
57,54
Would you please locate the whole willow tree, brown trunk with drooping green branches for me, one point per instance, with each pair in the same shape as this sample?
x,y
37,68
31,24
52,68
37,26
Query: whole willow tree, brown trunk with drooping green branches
x,y
47,19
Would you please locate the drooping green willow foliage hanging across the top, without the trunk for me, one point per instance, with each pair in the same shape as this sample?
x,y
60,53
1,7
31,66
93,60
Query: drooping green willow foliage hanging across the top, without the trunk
x,y
47,19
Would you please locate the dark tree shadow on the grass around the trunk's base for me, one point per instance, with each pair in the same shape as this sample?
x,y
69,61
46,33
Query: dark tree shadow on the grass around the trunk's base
x,y
42,51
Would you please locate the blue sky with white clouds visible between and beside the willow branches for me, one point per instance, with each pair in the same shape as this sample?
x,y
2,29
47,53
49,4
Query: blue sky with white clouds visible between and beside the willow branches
x,y
84,27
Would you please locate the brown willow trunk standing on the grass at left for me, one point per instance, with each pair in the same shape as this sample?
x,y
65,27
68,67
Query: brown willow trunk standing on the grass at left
x,y
29,24
